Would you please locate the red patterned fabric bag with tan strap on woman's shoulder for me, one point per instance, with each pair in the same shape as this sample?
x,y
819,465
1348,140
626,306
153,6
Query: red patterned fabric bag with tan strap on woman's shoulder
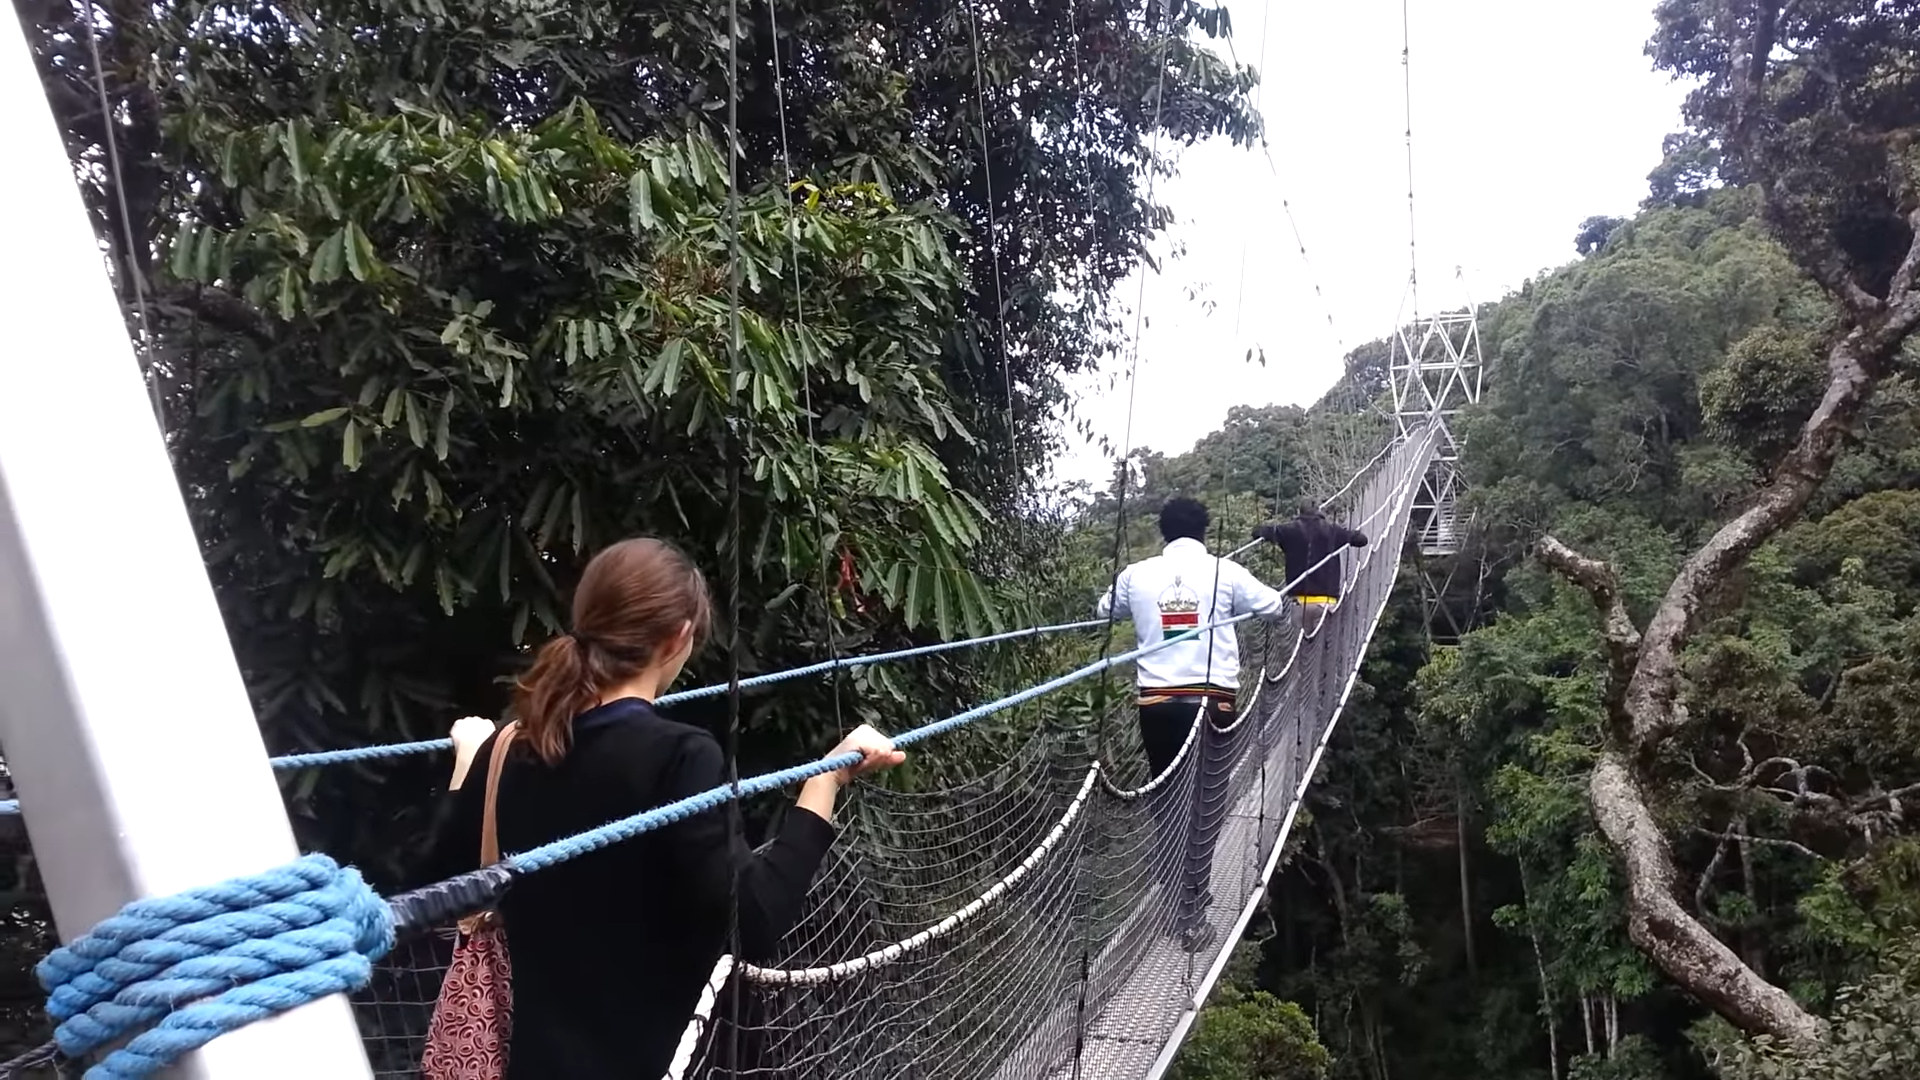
x,y
473,1018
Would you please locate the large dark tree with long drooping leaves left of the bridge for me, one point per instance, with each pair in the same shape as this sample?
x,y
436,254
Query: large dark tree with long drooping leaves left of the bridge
x,y
439,301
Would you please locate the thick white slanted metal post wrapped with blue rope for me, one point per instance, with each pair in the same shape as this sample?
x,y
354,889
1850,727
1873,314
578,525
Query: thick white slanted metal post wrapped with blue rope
x,y
126,725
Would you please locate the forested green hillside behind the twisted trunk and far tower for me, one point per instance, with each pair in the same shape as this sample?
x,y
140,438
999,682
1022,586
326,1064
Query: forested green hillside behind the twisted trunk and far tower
x,y
1452,908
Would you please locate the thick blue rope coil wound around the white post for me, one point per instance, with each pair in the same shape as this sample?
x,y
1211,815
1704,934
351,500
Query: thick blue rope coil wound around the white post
x,y
180,971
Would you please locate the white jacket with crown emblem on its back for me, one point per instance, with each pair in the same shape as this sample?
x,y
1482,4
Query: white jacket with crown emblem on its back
x,y
1168,593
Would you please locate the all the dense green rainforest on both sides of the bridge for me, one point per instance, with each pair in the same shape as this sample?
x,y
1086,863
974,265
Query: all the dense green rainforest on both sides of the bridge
x,y
435,301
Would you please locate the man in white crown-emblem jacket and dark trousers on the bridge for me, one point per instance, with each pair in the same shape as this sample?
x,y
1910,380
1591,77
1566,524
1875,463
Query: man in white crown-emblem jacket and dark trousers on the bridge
x,y
1182,589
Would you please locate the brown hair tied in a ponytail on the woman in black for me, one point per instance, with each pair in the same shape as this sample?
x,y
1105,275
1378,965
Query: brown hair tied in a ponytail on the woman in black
x,y
629,608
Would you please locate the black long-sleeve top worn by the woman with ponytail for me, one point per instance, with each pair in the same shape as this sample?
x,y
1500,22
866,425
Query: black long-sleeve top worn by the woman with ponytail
x,y
612,950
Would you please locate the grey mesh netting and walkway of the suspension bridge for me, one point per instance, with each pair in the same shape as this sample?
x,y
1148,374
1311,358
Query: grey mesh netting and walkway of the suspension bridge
x,y
1020,925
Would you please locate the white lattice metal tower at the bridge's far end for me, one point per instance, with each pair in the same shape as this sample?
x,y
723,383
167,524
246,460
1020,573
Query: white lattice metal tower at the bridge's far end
x,y
1437,374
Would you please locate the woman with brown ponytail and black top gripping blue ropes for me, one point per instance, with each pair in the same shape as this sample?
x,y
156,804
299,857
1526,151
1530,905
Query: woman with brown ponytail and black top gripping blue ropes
x,y
612,950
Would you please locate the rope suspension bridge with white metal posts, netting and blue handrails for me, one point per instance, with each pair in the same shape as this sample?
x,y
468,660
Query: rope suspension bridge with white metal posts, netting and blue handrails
x,y
1009,927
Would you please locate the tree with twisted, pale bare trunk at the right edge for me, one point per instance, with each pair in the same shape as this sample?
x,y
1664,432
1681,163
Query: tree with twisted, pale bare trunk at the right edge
x,y
1808,109
